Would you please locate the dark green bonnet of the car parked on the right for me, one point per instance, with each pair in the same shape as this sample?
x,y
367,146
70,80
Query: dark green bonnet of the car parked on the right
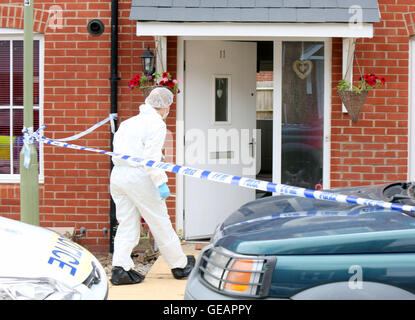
x,y
292,225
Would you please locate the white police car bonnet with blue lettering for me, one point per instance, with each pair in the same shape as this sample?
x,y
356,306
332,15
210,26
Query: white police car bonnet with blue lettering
x,y
32,252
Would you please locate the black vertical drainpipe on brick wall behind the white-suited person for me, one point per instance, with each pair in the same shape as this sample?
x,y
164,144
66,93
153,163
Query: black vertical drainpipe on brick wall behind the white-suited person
x,y
114,108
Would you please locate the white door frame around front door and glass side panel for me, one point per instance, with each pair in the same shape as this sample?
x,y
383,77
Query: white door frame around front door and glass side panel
x,y
277,113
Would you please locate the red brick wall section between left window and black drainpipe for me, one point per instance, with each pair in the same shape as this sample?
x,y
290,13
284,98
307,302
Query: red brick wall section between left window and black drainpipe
x,y
77,95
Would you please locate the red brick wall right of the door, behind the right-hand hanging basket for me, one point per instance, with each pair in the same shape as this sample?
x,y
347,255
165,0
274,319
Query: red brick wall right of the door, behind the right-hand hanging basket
x,y
375,149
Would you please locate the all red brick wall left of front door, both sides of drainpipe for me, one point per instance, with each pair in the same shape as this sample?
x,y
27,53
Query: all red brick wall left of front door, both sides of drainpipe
x,y
76,96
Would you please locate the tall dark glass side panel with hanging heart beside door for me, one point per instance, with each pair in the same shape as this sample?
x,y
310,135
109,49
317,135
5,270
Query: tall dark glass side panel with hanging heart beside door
x,y
302,114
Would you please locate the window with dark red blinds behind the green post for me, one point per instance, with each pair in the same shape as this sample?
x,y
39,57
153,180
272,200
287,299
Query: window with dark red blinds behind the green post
x,y
11,103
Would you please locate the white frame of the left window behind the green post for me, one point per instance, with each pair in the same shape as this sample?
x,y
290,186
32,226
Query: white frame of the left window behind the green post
x,y
17,34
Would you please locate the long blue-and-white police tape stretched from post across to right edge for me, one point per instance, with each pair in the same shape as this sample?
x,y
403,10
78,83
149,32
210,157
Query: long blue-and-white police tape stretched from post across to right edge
x,y
236,180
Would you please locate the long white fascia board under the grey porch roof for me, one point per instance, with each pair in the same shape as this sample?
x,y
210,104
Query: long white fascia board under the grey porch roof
x,y
257,30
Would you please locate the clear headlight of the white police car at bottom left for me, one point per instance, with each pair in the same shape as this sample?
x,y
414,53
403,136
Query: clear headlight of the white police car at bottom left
x,y
35,289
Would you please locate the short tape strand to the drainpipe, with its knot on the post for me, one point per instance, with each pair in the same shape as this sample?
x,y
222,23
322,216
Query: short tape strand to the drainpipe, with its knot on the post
x,y
29,136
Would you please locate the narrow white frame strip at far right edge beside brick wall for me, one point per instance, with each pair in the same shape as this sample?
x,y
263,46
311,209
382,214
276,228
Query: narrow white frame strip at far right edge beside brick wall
x,y
411,111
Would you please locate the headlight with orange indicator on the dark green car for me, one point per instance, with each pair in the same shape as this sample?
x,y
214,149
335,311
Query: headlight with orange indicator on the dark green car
x,y
235,274
